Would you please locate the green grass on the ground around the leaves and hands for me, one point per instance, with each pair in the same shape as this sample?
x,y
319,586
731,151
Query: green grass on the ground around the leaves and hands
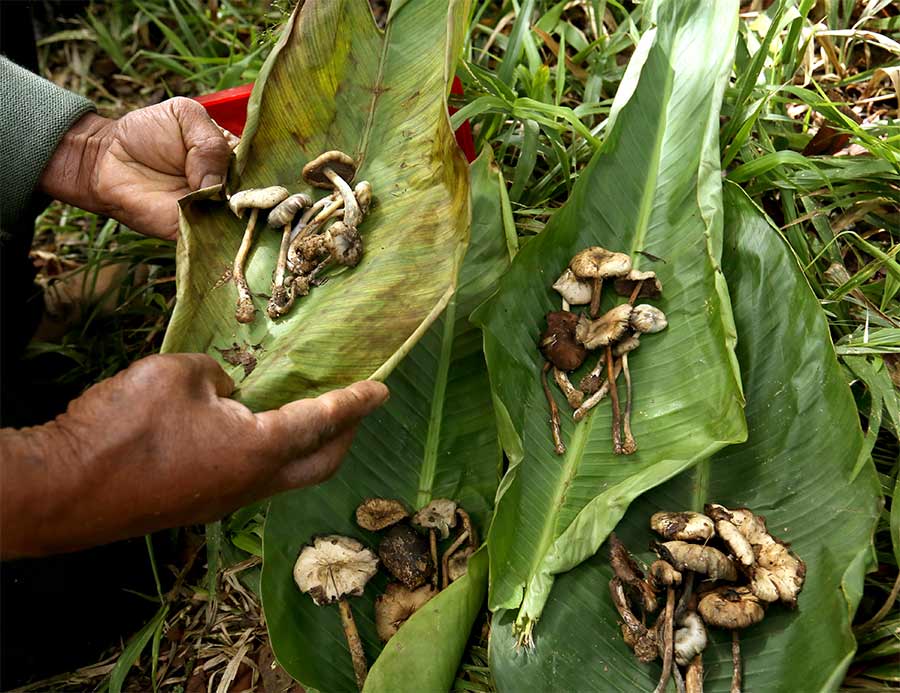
x,y
799,66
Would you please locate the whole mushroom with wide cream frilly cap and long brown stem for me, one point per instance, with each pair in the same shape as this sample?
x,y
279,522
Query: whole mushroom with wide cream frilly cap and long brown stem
x,y
331,569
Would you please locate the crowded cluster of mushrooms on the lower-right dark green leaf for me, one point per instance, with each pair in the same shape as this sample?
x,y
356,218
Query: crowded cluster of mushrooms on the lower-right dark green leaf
x,y
719,569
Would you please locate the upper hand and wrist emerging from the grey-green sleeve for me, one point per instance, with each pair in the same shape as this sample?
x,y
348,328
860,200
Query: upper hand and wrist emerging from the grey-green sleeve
x,y
135,169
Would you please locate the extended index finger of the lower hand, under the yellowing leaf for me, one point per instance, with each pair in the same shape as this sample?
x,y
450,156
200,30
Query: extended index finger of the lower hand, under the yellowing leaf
x,y
298,428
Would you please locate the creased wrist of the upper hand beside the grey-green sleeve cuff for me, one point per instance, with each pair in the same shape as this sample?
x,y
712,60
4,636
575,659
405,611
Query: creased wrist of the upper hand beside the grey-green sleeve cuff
x,y
70,174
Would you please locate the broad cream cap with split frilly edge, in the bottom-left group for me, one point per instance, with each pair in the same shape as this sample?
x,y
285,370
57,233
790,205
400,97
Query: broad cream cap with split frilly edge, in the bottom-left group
x,y
334,567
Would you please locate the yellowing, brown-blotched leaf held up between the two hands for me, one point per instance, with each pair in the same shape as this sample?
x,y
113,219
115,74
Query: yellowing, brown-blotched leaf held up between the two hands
x,y
335,81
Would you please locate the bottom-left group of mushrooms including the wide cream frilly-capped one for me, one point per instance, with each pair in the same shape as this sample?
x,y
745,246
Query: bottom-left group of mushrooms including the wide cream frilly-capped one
x,y
335,567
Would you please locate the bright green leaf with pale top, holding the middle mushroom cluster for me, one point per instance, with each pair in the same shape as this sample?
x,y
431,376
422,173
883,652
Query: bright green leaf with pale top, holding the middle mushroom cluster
x,y
654,187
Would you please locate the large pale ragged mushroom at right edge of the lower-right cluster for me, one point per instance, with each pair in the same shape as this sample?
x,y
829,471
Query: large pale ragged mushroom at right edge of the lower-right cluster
x,y
776,573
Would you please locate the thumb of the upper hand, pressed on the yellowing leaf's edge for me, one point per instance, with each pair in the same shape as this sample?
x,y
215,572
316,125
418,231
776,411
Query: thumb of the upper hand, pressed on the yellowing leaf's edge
x,y
207,149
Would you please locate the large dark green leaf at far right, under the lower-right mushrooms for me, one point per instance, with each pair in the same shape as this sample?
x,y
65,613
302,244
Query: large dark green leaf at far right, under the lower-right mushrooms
x,y
798,468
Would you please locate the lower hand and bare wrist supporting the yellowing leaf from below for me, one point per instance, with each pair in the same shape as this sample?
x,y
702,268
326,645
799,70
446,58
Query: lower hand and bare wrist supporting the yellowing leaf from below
x,y
160,445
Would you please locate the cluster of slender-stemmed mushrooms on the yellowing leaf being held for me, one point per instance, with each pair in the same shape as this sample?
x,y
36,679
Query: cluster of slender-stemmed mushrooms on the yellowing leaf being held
x,y
310,245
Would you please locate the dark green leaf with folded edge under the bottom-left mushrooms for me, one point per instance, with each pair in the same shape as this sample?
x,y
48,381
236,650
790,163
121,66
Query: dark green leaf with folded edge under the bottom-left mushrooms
x,y
435,437
